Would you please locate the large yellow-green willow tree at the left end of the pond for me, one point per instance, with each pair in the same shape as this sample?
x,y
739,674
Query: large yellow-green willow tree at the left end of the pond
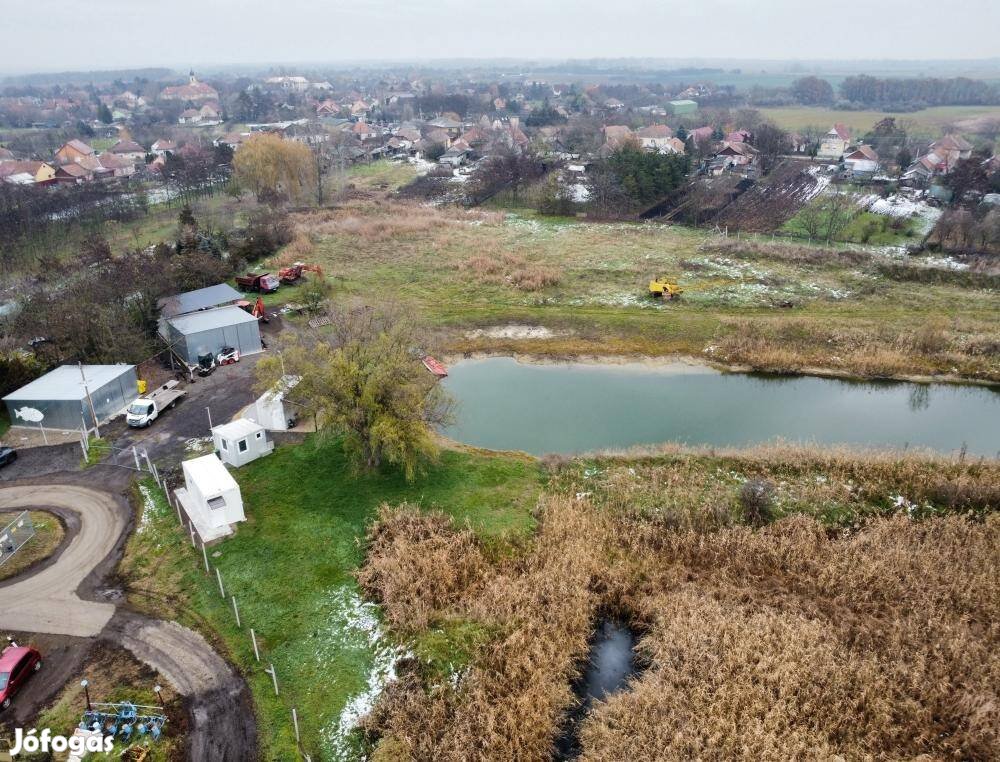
x,y
369,384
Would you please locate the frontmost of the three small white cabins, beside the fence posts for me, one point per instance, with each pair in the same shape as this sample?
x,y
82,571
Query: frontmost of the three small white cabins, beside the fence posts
x,y
210,497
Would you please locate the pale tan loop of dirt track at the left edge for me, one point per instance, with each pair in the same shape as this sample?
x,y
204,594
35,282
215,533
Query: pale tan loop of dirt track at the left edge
x,y
47,601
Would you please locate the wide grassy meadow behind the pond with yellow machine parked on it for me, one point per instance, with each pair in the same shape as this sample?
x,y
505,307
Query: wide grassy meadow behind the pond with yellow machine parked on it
x,y
586,282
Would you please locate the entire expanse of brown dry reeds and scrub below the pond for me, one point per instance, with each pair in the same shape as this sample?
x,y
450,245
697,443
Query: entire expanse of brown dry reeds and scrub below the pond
x,y
797,640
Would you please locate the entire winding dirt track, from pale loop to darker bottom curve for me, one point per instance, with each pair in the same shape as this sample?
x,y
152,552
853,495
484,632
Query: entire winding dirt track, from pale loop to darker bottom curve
x,y
46,600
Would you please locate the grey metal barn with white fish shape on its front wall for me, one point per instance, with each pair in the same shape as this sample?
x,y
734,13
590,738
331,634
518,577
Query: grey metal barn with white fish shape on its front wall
x,y
61,398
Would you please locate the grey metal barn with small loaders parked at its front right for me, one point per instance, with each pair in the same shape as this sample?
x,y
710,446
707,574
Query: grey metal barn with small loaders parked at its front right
x,y
208,331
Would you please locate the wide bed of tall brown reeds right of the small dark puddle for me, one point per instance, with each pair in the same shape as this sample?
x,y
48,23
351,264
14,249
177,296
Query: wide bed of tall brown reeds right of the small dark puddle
x,y
789,643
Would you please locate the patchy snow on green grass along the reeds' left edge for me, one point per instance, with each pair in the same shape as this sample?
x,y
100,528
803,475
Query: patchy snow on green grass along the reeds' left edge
x,y
355,626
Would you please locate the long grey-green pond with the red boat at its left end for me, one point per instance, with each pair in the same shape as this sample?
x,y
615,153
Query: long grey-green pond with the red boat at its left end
x,y
504,404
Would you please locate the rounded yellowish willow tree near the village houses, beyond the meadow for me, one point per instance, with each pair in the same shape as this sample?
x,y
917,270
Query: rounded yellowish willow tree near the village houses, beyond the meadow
x,y
275,169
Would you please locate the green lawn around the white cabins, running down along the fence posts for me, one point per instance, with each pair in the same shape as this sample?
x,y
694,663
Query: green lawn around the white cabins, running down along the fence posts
x,y
291,568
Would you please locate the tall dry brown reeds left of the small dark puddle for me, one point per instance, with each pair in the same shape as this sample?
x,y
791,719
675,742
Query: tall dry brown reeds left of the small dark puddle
x,y
509,703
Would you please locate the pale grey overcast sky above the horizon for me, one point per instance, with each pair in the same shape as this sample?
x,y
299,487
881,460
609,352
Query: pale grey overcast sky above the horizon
x,y
48,35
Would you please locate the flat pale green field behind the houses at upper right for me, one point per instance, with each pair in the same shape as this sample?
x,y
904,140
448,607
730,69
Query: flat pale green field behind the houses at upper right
x,y
929,121
